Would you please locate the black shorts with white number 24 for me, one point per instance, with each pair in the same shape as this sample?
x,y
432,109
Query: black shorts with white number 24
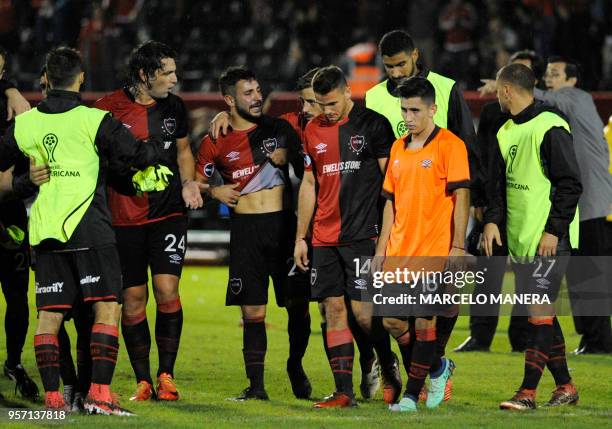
x,y
160,245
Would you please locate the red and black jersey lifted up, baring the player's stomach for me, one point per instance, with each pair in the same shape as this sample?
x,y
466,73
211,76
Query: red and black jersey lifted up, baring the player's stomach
x,y
241,156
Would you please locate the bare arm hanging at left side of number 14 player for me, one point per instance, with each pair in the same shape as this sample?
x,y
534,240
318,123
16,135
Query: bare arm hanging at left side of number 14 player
x,y
306,205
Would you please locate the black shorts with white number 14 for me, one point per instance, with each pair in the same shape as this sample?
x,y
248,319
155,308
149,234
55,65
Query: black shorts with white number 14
x,y
333,271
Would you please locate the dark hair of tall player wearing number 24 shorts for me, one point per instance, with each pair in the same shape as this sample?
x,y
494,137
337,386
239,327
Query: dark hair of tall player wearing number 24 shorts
x,y
147,57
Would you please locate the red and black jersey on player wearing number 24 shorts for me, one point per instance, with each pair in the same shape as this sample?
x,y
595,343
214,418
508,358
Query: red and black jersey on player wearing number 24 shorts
x,y
160,123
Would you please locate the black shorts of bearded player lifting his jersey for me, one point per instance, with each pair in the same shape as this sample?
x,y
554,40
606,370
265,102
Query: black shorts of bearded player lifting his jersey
x,y
261,246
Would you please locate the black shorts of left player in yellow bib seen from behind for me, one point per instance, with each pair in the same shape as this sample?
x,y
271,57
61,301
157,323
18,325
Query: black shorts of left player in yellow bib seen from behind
x,y
63,278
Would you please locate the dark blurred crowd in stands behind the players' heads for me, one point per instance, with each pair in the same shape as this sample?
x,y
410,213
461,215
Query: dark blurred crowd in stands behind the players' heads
x,y
281,39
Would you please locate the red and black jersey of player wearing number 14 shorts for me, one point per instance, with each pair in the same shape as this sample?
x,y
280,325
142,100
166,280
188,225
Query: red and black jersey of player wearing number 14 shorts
x,y
344,159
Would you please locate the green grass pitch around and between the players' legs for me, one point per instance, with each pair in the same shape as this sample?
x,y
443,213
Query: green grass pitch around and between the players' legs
x,y
209,369
